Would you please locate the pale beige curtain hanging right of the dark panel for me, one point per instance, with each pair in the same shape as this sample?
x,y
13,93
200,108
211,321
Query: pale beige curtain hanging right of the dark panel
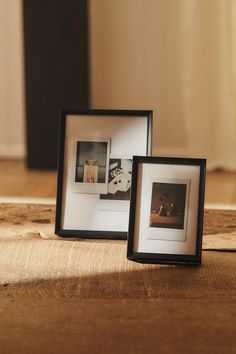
x,y
177,57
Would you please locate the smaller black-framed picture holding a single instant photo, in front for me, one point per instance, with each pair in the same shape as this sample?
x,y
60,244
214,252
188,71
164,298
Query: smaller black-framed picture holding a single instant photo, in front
x,y
166,210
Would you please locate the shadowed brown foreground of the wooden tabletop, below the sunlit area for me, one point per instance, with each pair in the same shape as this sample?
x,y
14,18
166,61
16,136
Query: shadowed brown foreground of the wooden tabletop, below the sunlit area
x,y
163,309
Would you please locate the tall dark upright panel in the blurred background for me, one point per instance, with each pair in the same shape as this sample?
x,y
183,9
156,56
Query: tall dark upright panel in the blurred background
x,y
56,71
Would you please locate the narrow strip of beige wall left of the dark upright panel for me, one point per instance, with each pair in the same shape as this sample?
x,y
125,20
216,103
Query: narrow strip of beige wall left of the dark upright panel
x,y
12,141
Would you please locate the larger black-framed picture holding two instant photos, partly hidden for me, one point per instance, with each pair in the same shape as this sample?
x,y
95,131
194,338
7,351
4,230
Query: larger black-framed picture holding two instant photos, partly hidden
x,y
95,170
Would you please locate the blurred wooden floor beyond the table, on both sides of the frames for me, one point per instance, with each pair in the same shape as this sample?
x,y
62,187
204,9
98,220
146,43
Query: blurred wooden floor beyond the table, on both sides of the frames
x,y
17,181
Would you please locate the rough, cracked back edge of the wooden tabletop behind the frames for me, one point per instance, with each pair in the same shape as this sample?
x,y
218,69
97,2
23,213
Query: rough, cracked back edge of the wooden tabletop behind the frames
x,y
37,221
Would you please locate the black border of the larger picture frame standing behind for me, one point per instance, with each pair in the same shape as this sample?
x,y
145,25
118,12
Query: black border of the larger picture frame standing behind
x,y
93,112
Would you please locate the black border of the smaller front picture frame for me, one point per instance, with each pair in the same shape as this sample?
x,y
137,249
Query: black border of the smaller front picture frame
x,y
160,257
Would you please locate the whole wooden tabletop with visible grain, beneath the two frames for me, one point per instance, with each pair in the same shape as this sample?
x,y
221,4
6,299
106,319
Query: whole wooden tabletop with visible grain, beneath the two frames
x,y
83,296
